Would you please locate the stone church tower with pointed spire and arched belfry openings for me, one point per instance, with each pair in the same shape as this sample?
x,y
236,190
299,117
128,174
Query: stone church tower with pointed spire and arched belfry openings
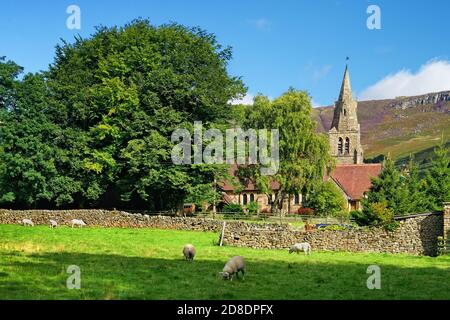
x,y
344,133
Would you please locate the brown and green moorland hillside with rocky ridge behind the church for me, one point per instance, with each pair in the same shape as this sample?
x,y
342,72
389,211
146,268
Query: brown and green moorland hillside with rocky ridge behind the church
x,y
398,126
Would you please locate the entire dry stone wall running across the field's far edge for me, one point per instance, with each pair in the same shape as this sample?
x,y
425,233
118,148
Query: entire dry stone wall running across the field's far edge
x,y
416,235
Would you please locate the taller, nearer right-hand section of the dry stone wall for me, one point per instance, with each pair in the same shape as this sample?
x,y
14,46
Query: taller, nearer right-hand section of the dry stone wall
x,y
416,235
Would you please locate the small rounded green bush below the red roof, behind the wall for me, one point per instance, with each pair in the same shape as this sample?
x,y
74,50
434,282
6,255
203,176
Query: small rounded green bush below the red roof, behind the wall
x,y
327,200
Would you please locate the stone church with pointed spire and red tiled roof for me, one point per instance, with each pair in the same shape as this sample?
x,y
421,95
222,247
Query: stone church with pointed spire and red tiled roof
x,y
351,175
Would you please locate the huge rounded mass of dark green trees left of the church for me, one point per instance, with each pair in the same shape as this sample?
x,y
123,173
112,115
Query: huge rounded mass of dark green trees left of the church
x,y
102,135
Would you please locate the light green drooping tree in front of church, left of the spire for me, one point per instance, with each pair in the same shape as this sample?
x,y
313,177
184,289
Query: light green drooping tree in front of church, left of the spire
x,y
304,154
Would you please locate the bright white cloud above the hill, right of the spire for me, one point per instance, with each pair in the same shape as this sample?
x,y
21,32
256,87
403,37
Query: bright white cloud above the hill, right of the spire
x,y
433,76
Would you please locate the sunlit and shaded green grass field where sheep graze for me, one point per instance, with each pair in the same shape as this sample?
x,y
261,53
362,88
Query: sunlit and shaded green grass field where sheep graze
x,y
148,264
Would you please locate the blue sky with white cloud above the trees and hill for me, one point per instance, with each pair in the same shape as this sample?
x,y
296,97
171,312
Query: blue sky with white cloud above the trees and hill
x,y
276,44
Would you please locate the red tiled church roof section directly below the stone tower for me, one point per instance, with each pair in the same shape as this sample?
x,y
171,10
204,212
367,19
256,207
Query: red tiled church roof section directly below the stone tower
x,y
355,179
